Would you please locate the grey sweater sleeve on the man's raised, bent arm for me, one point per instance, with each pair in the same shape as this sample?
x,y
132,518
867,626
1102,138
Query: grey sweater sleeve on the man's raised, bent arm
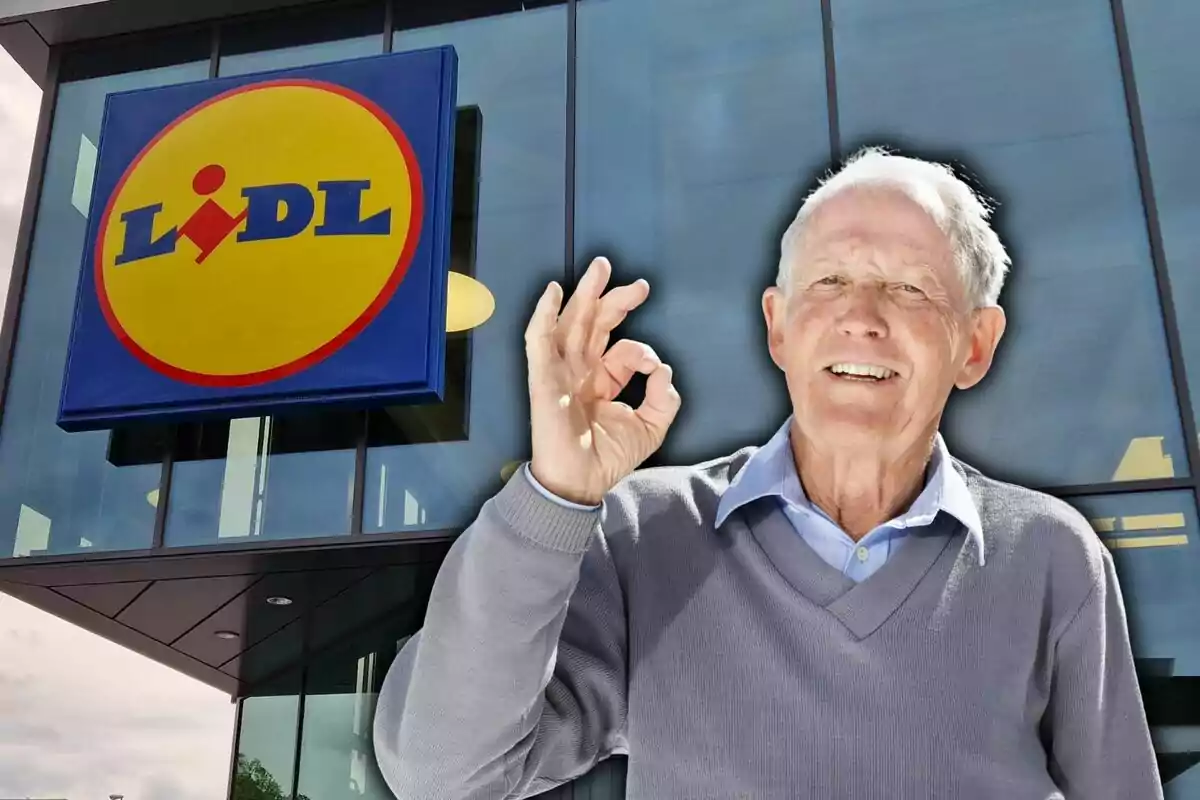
x,y
517,683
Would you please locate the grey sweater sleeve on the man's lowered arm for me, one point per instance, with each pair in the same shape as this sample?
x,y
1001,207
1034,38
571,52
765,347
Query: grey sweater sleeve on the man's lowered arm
x,y
1100,741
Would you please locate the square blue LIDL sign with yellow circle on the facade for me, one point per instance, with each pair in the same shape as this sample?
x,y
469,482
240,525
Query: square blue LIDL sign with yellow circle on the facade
x,y
268,240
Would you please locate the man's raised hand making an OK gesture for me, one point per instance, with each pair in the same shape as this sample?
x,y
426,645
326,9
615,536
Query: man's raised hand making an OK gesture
x,y
584,443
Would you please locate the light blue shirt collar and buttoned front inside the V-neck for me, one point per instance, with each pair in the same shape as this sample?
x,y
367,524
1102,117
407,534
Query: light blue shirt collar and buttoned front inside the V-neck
x,y
771,473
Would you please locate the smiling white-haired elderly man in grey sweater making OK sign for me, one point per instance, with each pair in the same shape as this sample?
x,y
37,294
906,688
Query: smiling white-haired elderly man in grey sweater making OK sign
x,y
845,612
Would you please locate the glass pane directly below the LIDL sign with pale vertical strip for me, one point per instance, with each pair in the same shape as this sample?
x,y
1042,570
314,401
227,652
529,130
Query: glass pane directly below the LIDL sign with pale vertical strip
x,y
287,477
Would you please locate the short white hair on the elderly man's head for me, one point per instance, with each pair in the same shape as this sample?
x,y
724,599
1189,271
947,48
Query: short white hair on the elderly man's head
x,y
955,207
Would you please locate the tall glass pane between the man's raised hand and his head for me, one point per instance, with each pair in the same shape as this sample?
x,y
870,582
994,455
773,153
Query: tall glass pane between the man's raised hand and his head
x,y
700,124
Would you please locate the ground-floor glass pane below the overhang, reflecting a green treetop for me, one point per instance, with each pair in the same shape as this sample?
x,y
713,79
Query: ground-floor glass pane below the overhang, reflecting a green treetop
x,y
267,741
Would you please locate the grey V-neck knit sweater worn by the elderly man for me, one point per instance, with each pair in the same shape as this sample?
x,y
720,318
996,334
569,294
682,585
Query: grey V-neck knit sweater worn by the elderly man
x,y
735,664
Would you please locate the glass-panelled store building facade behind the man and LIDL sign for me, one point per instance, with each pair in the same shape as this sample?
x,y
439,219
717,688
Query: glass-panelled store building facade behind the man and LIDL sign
x,y
284,558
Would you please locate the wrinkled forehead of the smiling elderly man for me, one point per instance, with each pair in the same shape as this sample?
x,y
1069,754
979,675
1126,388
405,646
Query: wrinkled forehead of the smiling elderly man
x,y
884,219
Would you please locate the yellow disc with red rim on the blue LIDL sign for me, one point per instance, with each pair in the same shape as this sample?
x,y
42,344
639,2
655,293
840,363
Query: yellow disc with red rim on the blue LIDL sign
x,y
253,311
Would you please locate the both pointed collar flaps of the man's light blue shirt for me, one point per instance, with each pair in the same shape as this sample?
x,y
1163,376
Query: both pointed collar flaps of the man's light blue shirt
x,y
771,472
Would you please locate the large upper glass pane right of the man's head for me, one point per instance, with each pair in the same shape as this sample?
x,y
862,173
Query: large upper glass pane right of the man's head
x,y
1029,94
